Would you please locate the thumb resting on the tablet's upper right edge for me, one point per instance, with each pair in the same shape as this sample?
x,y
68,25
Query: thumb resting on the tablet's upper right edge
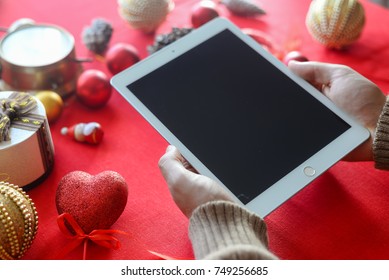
x,y
316,73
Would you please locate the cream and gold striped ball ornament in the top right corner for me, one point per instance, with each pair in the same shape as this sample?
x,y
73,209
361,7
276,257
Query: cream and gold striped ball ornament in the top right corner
x,y
335,23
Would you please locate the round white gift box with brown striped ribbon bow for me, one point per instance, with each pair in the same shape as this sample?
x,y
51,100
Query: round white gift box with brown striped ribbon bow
x,y
26,146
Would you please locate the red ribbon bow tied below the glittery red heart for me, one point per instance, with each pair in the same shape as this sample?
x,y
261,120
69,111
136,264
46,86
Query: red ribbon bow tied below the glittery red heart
x,y
102,237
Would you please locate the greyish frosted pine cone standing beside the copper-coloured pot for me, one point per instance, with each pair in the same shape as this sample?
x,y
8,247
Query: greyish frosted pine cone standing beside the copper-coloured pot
x,y
97,36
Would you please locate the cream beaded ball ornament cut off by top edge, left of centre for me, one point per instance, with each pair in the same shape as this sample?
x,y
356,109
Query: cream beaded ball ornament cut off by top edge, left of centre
x,y
145,15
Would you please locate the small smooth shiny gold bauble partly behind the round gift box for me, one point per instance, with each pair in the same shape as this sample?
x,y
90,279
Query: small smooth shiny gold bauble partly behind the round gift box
x,y
52,102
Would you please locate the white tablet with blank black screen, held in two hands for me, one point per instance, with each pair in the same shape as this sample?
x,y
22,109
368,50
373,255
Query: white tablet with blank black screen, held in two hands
x,y
239,115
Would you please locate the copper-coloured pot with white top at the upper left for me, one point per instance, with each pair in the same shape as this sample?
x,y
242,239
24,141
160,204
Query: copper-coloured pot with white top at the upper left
x,y
39,57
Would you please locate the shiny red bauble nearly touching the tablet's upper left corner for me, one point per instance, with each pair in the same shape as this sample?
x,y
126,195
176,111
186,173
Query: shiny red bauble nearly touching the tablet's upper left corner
x,y
120,57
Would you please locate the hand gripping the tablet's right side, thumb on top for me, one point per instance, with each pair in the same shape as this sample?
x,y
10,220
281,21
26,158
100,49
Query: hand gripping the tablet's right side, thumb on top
x,y
351,92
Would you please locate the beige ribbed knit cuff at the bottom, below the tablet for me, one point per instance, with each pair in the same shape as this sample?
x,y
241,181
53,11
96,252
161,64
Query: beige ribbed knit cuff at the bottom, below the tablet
x,y
221,230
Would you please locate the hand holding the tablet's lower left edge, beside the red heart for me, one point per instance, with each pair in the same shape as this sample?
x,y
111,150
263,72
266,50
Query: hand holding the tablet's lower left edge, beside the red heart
x,y
189,189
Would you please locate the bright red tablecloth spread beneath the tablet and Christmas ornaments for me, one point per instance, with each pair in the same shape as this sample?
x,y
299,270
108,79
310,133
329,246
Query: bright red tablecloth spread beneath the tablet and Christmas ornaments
x,y
342,215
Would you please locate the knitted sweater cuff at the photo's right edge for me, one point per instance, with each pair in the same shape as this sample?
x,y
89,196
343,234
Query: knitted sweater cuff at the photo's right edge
x,y
381,140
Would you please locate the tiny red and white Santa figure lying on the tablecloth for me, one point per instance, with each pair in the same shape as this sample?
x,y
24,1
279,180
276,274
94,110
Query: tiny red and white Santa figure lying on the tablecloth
x,y
85,132
